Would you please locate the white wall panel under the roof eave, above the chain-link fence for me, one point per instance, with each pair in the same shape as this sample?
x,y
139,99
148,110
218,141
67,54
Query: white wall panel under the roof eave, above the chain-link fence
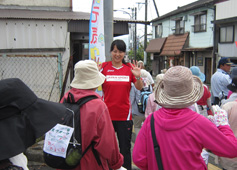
x,y
33,34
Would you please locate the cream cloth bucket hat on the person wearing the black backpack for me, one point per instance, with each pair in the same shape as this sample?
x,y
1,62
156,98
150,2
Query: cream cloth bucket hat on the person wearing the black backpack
x,y
87,75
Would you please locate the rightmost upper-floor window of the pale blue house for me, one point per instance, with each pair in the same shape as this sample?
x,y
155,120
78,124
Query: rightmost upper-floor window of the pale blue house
x,y
200,23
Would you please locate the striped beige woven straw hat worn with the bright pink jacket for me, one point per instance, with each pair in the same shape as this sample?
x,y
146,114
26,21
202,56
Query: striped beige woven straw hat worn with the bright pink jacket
x,y
178,88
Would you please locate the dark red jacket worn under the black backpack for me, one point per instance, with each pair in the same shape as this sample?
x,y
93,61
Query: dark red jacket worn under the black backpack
x,y
96,126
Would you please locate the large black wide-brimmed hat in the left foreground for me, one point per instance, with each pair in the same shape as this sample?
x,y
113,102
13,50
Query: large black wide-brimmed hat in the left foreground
x,y
24,117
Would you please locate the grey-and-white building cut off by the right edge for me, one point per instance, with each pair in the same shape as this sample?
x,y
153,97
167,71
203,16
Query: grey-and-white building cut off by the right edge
x,y
226,30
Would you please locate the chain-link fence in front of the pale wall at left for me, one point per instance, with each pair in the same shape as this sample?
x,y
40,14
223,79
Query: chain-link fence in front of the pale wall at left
x,y
42,73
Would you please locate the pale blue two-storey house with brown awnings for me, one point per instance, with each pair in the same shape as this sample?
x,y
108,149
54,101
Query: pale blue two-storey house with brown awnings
x,y
189,38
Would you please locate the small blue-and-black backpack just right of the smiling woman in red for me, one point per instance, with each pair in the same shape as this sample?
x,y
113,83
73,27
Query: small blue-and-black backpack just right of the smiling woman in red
x,y
142,102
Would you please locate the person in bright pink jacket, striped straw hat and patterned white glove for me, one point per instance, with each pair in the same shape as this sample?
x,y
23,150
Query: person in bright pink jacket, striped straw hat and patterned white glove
x,y
180,132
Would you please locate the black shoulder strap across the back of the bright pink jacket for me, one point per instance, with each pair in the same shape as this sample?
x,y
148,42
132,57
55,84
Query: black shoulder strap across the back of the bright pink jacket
x,y
156,145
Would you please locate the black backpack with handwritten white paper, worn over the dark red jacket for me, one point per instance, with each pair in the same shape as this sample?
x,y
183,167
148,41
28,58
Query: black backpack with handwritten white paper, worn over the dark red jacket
x,y
74,151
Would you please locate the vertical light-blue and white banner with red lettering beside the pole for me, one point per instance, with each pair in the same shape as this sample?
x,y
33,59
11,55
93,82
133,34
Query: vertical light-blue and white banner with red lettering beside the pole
x,y
96,34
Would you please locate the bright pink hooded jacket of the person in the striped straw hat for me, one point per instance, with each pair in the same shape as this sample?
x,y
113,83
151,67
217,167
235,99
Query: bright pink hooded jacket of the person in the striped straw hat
x,y
182,134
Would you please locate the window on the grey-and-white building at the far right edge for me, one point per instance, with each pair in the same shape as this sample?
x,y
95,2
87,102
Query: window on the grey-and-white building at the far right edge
x,y
227,34
